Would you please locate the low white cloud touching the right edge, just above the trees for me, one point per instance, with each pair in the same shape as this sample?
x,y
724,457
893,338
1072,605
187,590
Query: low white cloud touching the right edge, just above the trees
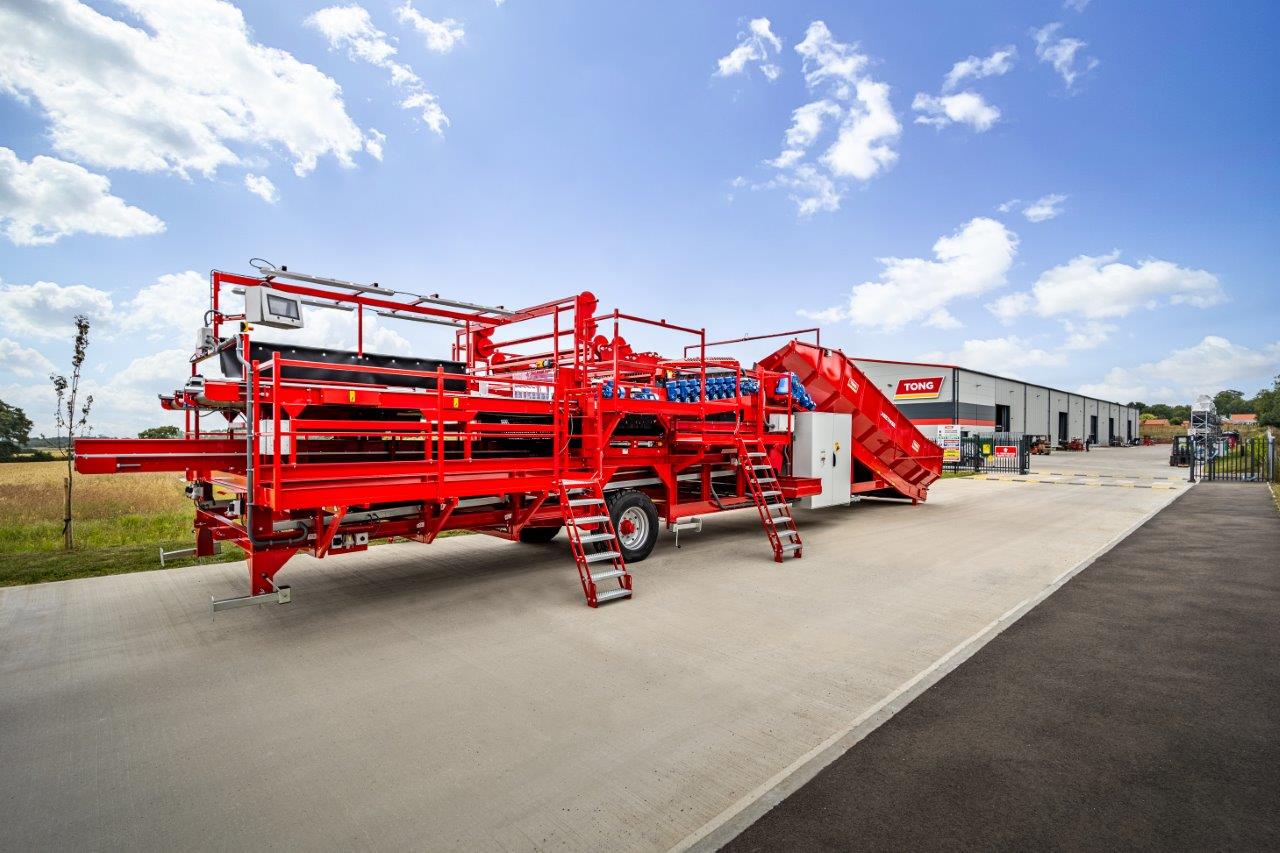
x,y
1205,368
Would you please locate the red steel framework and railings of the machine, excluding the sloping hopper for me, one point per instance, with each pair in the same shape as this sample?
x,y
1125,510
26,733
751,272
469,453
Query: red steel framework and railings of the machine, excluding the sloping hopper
x,y
276,481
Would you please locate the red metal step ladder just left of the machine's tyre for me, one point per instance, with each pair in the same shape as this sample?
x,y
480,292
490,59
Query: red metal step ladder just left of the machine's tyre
x,y
583,507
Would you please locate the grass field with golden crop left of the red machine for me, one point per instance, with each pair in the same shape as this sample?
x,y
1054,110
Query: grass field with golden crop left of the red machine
x,y
121,523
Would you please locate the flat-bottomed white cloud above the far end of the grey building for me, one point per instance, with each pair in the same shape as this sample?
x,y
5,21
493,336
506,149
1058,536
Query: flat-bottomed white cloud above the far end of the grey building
x,y
1103,288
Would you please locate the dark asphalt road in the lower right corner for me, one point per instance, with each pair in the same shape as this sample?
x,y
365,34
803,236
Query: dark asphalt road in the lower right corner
x,y
1137,708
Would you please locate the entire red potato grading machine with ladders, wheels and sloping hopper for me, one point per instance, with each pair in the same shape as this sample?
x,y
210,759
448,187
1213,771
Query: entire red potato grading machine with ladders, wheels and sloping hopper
x,y
543,419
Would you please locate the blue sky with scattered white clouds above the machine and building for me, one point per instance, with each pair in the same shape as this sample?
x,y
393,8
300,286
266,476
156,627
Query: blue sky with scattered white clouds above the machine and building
x,y
1085,195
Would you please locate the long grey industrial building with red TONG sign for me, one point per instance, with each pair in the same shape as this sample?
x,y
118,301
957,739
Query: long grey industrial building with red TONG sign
x,y
934,395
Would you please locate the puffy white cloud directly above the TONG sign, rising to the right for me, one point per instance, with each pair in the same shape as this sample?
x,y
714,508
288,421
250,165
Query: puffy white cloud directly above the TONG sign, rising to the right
x,y
913,290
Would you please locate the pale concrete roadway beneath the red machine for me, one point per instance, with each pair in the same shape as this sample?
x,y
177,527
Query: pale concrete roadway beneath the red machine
x,y
463,696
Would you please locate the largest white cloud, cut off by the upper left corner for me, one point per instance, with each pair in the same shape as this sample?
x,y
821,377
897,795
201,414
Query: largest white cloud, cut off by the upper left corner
x,y
185,90
